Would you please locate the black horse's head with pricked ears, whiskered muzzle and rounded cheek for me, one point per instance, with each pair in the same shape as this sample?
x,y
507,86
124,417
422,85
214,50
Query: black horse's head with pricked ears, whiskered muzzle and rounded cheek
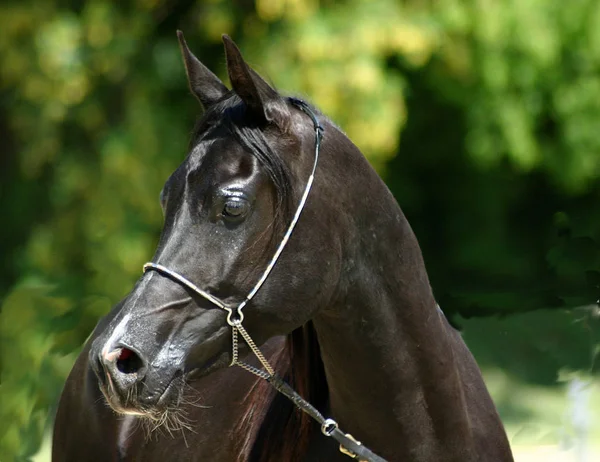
x,y
226,209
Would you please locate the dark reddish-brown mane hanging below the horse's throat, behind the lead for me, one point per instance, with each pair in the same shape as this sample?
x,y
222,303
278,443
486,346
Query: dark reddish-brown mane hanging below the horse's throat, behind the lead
x,y
271,428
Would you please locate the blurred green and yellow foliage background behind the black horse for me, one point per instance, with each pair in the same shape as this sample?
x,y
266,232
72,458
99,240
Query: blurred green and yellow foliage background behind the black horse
x,y
482,116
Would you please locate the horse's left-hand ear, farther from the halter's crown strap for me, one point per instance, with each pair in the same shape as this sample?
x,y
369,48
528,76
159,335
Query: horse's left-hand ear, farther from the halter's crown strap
x,y
205,85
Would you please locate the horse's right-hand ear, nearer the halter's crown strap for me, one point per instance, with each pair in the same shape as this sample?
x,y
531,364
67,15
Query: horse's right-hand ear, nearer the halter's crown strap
x,y
260,98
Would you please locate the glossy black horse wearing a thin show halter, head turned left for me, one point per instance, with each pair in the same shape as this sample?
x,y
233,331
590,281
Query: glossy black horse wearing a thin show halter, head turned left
x,y
346,316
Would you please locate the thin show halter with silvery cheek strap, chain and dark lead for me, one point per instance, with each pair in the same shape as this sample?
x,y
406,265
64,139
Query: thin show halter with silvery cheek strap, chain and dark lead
x,y
235,317
